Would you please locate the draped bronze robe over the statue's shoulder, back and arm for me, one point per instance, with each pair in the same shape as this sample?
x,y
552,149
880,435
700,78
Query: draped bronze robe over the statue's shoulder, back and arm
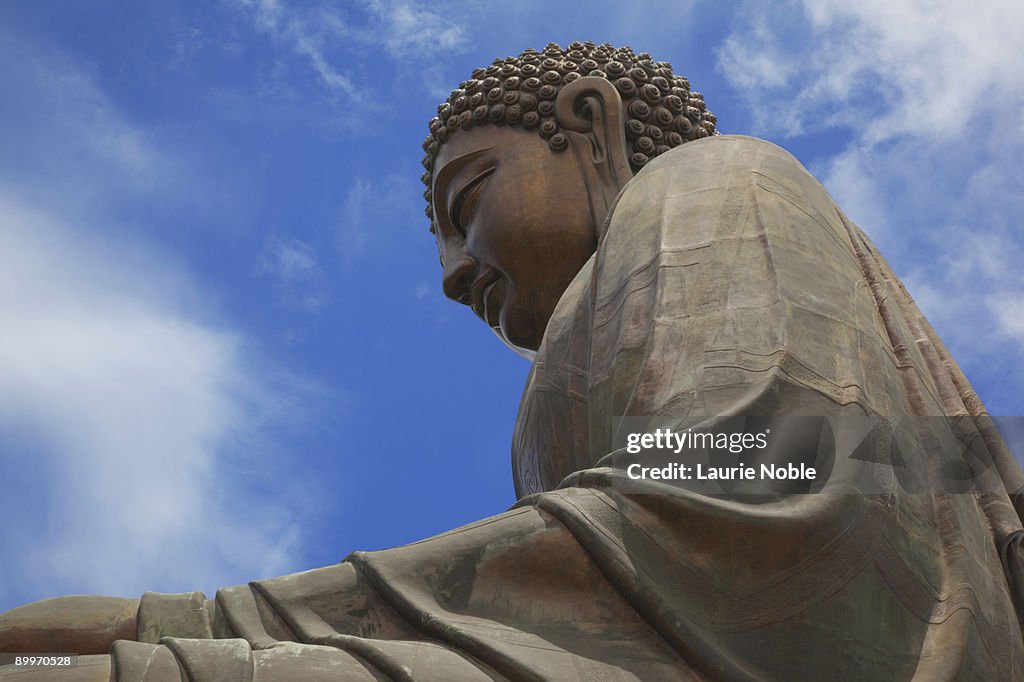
x,y
727,282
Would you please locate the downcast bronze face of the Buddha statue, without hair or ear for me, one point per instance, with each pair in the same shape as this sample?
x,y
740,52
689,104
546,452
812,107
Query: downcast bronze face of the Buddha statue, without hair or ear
x,y
516,224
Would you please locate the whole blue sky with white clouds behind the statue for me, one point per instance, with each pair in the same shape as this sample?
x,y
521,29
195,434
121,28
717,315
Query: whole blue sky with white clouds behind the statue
x,y
224,350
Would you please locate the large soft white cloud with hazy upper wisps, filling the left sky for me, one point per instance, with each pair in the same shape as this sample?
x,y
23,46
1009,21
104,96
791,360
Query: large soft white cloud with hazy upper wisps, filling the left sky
x,y
136,423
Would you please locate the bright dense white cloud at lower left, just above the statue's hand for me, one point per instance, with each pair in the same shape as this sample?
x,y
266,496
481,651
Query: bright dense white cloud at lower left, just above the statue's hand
x,y
136,410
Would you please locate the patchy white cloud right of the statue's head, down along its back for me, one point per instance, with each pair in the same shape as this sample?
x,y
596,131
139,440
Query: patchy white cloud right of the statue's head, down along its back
x,y
929,99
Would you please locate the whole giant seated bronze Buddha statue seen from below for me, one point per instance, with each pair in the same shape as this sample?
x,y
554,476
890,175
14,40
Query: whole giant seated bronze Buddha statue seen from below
x,y
587,210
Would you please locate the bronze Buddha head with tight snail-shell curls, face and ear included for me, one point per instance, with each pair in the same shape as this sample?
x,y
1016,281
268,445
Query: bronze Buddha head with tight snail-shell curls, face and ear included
x,y
525,161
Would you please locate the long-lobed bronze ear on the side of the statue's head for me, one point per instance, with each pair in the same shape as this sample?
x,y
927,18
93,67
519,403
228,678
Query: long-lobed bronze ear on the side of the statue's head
x,y
591,106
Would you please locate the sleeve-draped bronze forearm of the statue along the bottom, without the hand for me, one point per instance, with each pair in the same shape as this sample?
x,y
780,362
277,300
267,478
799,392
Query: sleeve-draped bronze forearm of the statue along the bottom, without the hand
x,y
481,603
